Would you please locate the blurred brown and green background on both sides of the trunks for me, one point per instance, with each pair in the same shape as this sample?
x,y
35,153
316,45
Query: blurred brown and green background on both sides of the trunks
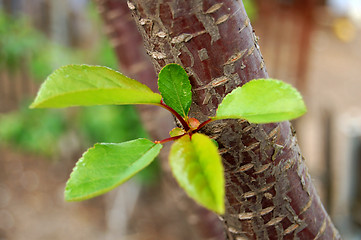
x,y
313,44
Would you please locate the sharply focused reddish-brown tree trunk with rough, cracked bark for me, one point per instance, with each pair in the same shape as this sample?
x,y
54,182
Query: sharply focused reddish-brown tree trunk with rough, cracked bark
x,y
269,192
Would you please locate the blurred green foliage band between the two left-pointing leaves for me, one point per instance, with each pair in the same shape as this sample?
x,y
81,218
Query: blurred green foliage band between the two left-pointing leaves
x,y
39,130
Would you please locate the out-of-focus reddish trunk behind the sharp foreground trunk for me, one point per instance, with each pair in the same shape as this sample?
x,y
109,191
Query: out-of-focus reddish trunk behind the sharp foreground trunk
x,y
128,45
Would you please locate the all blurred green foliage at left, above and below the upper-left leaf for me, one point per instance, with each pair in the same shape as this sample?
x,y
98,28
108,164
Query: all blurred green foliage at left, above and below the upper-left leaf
x,y
40,131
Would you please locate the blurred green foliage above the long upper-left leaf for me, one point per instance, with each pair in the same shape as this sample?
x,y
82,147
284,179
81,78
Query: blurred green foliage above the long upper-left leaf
x,y
23,45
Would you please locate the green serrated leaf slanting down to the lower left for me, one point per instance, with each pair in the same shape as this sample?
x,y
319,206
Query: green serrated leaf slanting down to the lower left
x,y
107,165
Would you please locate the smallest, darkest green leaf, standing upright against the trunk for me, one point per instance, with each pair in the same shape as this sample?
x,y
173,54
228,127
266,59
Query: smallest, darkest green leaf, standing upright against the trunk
x,y
174,85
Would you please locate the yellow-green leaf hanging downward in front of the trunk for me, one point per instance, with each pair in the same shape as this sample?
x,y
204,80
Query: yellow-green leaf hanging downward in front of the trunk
x,y
198,169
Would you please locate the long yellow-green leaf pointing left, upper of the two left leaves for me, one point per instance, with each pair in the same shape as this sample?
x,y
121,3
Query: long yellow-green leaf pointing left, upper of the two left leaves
x,y
85,85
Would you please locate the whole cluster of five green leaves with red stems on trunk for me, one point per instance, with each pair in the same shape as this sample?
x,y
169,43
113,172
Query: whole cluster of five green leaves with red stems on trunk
x,y
194,158
